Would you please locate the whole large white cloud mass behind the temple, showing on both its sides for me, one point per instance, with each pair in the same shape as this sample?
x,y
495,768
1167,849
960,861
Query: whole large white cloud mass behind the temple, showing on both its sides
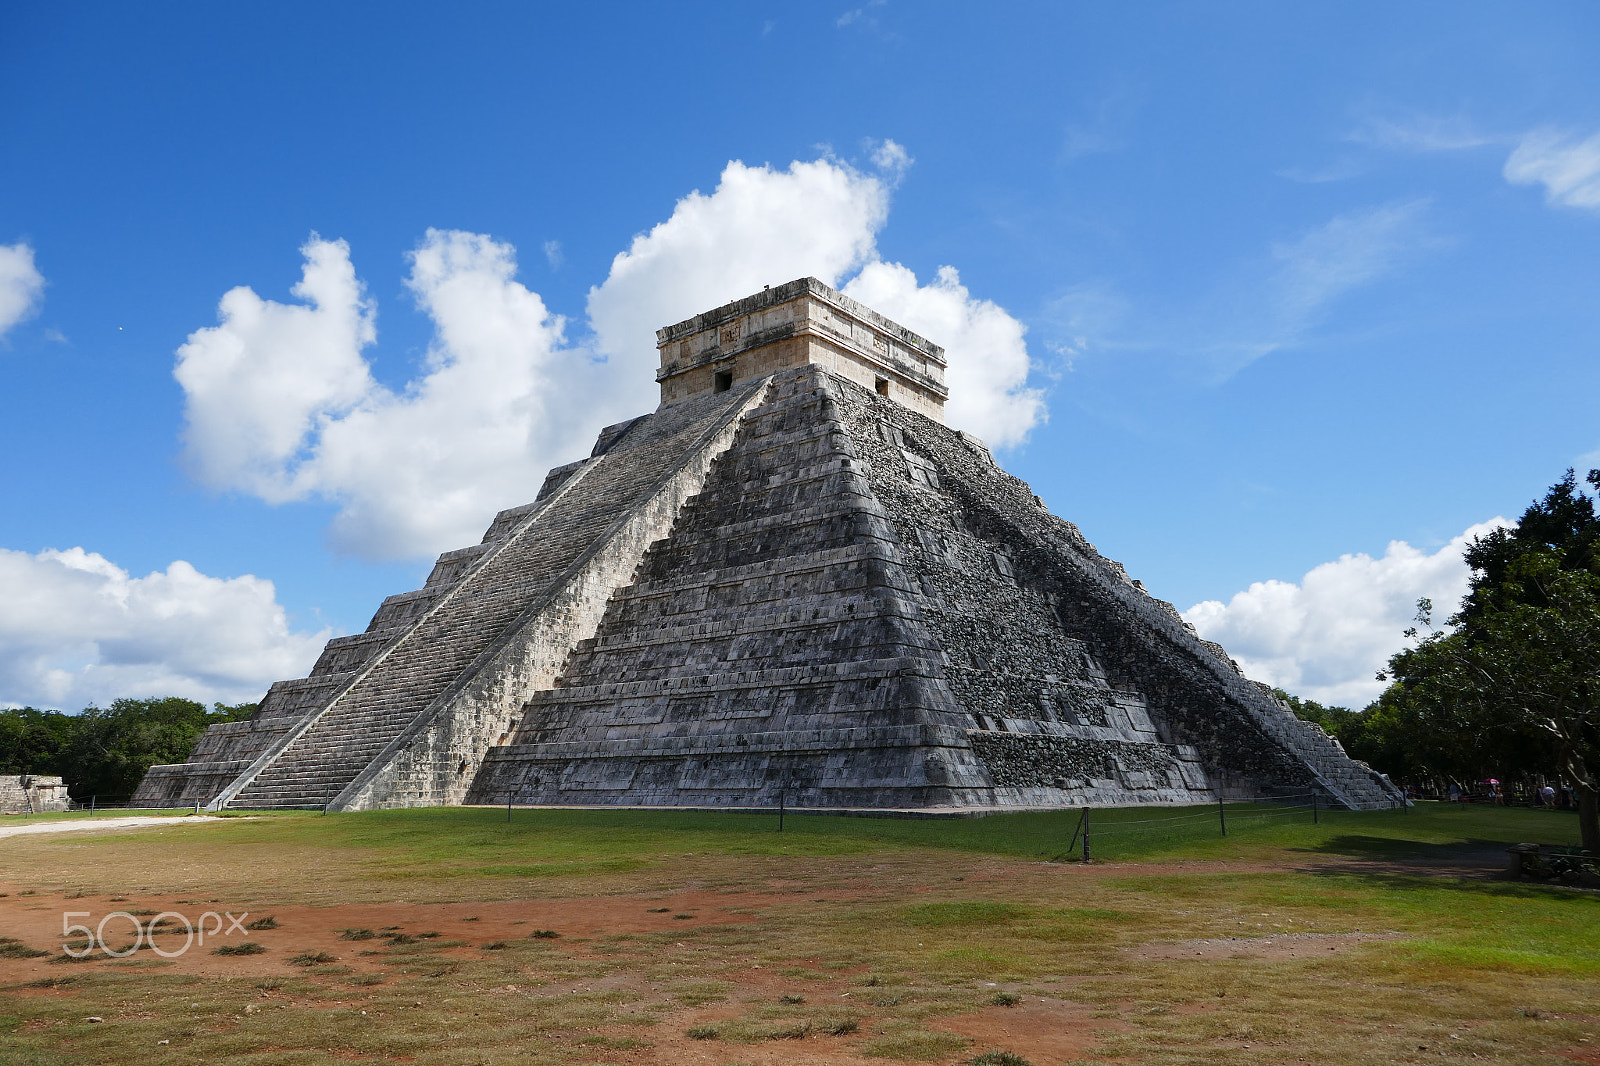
x,y
282,403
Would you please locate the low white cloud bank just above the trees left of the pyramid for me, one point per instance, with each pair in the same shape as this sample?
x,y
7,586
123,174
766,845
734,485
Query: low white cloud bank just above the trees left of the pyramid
x,y
79,630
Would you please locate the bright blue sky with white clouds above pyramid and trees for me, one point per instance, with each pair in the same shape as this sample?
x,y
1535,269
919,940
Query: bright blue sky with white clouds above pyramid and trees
x,y
1297,283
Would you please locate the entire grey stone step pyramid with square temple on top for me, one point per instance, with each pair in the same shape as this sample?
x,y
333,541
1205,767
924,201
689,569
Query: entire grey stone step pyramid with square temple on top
x,y
790,583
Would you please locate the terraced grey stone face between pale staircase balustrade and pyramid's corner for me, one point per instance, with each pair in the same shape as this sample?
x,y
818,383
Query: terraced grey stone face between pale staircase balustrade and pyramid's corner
x,y
758,644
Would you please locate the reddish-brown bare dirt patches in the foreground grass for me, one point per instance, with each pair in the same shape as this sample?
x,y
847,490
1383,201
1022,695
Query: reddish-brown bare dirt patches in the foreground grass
x,y
1042,1030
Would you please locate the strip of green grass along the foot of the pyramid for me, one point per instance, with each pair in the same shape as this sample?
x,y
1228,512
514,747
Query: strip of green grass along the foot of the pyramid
x,y
534,843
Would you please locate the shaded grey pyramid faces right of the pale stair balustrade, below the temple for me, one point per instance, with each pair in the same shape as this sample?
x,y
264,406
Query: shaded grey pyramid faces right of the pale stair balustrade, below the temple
x,y
860,609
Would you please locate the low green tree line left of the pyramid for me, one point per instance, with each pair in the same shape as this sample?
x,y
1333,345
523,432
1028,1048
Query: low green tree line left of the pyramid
x,y
105,751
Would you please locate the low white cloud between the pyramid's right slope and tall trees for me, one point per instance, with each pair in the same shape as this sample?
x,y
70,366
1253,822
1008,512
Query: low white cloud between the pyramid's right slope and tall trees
x,y
1327,636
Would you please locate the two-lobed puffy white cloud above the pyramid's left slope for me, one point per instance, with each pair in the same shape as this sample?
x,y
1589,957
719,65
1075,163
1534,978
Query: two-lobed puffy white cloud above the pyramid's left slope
x,y
282,404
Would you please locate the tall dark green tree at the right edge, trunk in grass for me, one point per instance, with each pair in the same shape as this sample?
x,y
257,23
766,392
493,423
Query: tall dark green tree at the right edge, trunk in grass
x,y
1521,667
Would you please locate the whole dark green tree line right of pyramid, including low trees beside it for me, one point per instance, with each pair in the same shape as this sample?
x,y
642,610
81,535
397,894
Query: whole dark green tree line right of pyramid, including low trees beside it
x,y
1510,686
